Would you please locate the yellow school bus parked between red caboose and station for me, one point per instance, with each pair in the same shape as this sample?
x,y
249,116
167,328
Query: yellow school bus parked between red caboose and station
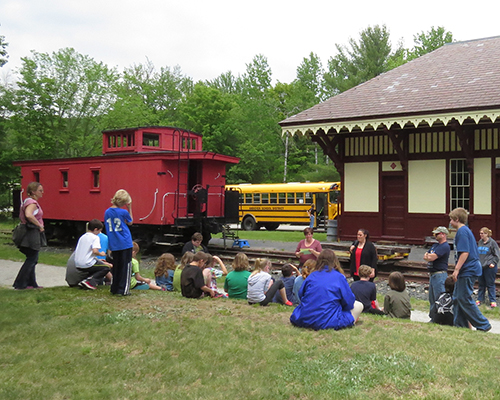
x,y
271,204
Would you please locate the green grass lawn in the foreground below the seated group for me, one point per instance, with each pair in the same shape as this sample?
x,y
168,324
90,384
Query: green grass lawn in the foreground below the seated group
x,y
64,343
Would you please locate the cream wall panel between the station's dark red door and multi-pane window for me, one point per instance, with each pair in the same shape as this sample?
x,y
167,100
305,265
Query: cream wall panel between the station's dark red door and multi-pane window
x,y
427,186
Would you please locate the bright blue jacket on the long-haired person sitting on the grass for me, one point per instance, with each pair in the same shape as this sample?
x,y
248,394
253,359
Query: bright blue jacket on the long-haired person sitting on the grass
x,y
326,302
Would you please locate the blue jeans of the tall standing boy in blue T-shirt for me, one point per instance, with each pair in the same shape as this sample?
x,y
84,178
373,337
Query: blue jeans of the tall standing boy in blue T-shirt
x,y
464,308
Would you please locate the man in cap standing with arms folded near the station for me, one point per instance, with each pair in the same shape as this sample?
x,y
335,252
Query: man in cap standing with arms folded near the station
x,y
437,263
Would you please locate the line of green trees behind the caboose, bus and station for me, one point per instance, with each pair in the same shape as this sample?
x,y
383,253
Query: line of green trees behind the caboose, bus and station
x,y
59,103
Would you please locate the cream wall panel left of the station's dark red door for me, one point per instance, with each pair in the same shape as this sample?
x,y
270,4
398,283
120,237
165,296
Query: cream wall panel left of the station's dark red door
x,y
361,187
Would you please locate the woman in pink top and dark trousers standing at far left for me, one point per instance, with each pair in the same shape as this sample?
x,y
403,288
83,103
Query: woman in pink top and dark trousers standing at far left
x,y
31,215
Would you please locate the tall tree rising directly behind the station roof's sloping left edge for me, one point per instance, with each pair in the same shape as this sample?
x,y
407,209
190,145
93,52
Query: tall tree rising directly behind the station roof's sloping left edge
x,y
361,61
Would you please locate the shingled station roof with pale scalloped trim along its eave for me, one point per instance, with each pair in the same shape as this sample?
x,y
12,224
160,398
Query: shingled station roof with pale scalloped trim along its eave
x,y
458,81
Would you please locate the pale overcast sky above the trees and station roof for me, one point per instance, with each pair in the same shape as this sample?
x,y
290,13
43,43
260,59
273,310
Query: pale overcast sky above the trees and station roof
x,y
206,38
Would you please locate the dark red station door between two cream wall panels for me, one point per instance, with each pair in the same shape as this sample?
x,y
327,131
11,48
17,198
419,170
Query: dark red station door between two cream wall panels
x,y
393,205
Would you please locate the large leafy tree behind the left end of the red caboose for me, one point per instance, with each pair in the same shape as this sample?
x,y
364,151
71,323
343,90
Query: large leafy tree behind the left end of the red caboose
x,y
57,105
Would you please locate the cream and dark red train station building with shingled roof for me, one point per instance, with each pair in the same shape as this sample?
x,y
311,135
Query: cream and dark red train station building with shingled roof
x,y
415,142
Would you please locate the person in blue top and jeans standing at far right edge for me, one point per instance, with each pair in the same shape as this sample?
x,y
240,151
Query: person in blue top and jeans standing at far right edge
x,y
489,255
